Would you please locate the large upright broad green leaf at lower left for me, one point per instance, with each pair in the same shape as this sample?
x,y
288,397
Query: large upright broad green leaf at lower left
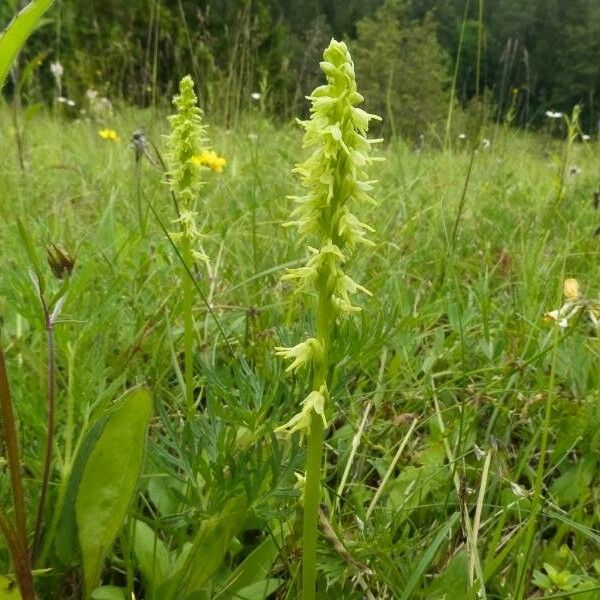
x,y
109,480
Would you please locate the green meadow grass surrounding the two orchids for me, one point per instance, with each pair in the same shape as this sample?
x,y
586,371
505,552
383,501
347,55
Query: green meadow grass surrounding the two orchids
x,y
453,336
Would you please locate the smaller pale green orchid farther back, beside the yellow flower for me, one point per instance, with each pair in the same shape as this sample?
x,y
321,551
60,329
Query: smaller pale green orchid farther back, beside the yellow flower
x,y
186,145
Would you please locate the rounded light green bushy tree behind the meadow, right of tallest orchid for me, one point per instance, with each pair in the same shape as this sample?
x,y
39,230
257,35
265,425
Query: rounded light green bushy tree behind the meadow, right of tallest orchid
x,y
402,71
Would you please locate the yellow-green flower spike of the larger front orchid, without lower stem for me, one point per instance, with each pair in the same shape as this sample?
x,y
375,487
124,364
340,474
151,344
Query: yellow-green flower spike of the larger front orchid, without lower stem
x,y
335,177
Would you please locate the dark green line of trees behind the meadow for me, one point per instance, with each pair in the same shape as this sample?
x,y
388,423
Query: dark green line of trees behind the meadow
x,y
524,58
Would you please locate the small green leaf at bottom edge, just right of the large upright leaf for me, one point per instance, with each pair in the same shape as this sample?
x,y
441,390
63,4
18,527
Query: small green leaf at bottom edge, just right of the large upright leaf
x,y
154,560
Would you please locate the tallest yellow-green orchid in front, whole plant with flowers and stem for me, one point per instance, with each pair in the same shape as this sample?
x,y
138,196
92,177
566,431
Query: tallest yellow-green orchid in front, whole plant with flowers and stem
x,y
335,177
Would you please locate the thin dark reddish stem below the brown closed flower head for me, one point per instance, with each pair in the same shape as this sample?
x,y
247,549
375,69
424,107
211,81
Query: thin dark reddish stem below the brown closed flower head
x,y
51,401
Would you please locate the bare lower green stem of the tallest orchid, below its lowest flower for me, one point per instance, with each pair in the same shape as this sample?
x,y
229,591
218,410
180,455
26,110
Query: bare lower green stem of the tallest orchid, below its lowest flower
x,y
312,493
